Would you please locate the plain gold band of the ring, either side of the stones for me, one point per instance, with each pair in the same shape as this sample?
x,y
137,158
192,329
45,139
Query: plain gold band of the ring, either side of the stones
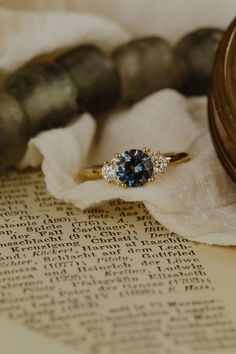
x,y
94,173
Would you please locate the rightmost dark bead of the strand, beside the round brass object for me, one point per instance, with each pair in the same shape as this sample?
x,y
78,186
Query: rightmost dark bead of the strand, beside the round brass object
x,y
195,54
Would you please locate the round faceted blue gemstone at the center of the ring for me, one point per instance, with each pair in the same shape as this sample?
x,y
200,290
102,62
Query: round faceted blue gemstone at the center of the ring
x,y
134,168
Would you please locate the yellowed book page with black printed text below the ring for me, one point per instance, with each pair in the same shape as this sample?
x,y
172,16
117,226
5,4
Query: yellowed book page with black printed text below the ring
x,y
110,279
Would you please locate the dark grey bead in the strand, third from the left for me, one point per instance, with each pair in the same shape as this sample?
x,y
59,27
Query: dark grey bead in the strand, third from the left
x,y
94,76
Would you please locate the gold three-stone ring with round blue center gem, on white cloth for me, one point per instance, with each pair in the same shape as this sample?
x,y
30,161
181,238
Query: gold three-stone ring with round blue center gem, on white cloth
x,y
134,167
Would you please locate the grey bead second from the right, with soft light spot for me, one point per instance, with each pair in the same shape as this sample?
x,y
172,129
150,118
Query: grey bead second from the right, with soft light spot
x,y
145,65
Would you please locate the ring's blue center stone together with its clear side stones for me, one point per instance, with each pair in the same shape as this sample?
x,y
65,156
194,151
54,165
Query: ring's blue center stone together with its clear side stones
x,y
134,167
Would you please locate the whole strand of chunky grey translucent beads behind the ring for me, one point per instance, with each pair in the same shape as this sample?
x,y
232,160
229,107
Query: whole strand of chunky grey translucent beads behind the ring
x,y
44,95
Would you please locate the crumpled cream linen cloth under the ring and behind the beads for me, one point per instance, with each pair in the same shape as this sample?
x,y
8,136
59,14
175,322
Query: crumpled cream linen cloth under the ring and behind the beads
x,y
195,199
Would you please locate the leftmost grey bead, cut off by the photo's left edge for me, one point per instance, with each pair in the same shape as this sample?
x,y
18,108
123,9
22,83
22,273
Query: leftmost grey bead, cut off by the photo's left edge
x,y
14,128
